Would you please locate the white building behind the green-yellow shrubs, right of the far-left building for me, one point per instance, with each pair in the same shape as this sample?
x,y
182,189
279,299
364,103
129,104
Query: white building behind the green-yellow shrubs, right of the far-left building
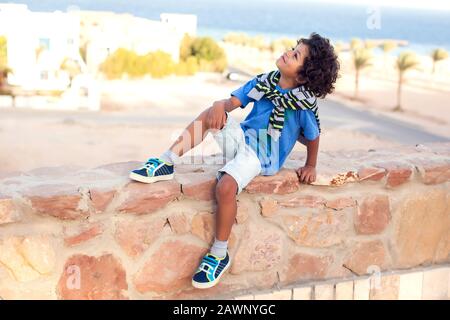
x,y
102,33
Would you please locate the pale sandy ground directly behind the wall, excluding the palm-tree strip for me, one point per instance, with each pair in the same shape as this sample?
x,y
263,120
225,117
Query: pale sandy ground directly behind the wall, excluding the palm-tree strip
x,y
123,131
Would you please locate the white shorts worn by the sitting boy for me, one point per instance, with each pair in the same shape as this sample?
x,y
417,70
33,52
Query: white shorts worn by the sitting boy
x,y
242,162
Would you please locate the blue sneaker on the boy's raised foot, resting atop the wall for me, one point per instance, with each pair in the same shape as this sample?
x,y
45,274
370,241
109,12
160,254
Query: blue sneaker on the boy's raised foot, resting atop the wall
x,y
154,170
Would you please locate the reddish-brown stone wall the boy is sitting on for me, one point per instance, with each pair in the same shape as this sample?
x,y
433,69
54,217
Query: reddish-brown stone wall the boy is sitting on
x,y
77,233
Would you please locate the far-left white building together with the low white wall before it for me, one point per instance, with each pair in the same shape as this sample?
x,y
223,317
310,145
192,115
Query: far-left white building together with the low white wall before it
x,y
39,44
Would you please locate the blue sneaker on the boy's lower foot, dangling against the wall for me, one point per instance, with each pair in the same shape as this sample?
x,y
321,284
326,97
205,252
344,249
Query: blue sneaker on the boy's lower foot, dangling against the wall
x,y
210,270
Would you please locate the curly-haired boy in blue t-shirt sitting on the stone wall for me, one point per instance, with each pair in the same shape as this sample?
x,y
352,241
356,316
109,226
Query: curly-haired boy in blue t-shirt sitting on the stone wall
x,y
284,111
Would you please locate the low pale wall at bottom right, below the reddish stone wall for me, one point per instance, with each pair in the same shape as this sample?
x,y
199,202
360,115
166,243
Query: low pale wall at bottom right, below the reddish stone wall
x,y
429,283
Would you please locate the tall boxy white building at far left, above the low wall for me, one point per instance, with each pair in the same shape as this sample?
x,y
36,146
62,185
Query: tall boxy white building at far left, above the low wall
x,y
37,45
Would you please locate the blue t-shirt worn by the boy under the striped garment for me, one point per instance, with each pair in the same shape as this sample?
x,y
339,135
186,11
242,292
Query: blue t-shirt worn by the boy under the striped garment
x,y
272,154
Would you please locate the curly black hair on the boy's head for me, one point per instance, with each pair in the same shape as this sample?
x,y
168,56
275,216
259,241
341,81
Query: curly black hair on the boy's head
x,y
321,66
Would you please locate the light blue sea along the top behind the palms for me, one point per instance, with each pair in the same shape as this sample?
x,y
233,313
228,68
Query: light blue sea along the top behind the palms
x,y
423,29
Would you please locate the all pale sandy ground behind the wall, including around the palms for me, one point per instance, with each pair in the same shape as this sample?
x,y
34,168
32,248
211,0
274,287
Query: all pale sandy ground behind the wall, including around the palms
x,y
141,118
